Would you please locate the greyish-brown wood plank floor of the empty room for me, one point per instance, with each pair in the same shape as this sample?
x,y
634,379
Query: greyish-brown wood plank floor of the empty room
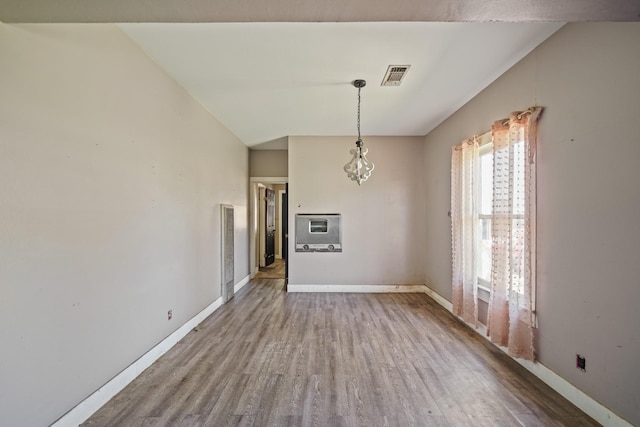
x,y
268,358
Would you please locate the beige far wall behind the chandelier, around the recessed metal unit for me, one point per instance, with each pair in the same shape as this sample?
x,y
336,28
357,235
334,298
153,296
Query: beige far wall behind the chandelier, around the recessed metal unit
x,y
382,220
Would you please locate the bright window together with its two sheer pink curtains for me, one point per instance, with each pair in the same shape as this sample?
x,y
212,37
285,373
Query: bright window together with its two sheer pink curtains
x,y
493,230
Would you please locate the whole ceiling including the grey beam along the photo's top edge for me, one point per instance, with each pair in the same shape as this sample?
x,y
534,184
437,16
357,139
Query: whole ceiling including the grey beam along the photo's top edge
x,y
272,68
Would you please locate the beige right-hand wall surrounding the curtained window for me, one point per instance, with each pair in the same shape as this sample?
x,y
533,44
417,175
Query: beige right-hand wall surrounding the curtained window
x,y
587,76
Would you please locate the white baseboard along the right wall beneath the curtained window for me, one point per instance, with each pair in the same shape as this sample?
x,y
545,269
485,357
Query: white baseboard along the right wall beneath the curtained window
x,y
588,405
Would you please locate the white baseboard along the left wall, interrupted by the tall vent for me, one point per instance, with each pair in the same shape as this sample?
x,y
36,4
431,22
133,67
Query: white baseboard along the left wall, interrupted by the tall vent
x,y
83,410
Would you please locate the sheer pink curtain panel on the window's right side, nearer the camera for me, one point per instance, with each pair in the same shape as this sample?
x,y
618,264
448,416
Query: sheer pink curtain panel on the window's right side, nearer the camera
x,y
511,317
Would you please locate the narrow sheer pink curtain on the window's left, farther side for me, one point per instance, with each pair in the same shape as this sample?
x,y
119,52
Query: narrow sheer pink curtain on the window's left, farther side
x,y
464,222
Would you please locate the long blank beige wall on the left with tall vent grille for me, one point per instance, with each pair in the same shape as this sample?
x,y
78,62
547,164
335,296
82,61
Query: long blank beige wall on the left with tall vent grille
x,y
111,180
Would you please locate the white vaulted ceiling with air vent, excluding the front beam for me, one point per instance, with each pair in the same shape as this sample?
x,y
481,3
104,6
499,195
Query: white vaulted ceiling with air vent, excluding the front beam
x,y
265,81
